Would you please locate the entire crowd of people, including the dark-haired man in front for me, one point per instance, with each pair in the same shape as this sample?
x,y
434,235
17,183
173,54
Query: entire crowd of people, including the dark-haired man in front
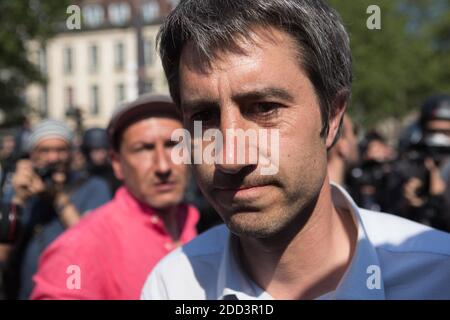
x,y
94,217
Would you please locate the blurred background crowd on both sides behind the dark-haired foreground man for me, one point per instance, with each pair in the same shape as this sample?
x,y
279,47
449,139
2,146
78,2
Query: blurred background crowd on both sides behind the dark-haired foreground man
x,y
49,183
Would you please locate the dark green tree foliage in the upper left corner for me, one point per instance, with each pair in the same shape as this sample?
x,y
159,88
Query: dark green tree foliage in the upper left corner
x,y
20,22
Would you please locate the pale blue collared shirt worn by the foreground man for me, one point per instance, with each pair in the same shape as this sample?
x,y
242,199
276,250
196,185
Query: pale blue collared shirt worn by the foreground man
x,y
394,259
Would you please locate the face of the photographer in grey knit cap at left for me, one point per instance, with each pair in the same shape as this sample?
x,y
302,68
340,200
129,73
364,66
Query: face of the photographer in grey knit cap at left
x,y
51,152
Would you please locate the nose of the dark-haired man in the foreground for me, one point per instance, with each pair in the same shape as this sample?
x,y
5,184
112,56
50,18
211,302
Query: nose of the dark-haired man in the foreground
x,y
234,156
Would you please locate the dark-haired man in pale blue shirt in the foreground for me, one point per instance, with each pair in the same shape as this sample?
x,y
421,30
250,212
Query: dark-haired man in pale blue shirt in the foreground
x,y
283,65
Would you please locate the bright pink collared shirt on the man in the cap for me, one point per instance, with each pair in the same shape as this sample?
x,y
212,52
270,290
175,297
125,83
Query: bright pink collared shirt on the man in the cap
x,y
109,254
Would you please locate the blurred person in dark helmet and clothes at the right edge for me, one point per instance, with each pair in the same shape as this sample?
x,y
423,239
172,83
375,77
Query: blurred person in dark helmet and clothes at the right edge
x,y
423,169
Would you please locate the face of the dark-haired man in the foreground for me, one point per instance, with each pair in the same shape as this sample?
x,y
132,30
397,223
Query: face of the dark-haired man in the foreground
x,y
265,88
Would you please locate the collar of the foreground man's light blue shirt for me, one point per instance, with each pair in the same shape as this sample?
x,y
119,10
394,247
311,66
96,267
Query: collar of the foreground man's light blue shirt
x,y
233,283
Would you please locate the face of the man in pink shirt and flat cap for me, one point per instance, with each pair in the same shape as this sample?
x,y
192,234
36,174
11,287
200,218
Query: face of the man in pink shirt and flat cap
x,y
145,166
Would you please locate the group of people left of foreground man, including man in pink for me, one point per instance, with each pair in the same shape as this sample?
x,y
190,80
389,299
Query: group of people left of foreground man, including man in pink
x,y
133,195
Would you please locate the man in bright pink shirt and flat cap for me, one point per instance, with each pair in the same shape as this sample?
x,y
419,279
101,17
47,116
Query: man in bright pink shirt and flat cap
x,y
109,254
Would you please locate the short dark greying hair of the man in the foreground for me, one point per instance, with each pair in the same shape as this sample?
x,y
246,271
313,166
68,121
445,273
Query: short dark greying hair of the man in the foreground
x,y
214,26
